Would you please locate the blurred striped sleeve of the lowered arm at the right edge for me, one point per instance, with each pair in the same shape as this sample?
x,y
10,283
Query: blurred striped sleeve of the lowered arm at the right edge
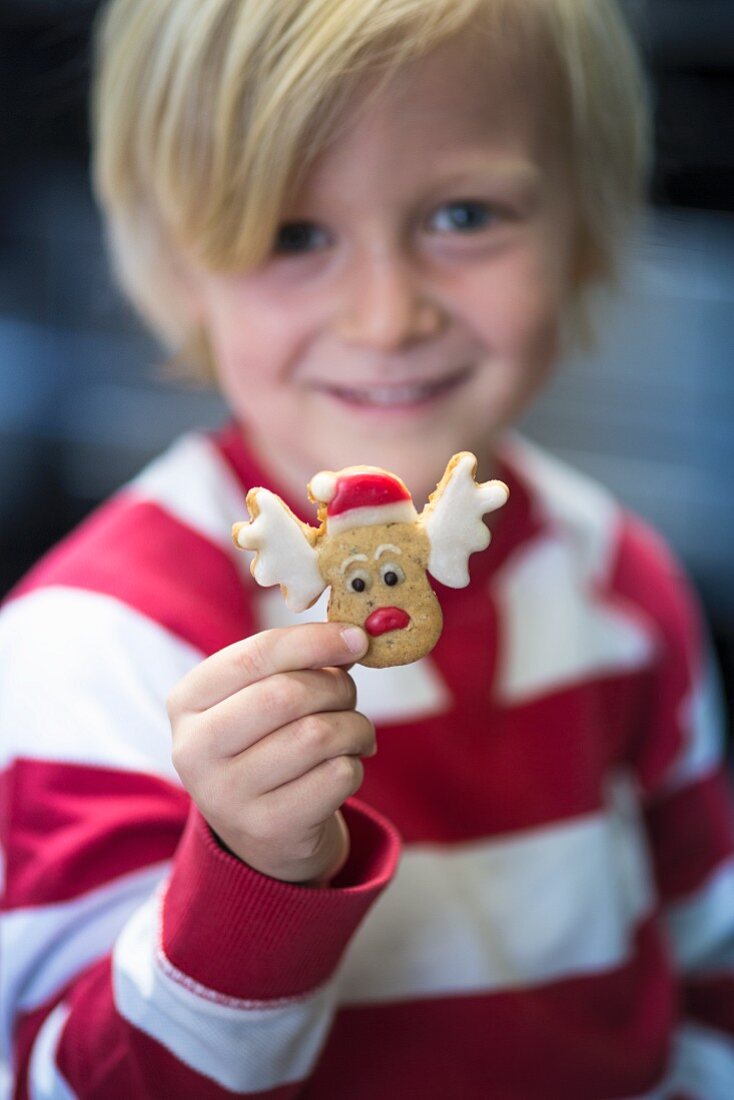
x,y
689,810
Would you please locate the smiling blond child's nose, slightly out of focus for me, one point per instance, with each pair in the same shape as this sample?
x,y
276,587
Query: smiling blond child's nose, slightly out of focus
x,y
386,305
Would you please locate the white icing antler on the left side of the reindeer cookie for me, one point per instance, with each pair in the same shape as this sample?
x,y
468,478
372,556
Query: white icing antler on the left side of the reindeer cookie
x,y
284,549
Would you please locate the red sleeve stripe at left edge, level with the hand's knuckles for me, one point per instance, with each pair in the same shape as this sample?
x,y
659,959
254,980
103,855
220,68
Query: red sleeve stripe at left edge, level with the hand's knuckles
x,y
71,829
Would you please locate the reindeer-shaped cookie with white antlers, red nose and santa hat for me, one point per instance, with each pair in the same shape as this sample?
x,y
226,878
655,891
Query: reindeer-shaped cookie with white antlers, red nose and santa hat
x,y
375,552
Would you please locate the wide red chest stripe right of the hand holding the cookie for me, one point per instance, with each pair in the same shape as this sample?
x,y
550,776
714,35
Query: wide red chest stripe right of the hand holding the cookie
x,y
520,776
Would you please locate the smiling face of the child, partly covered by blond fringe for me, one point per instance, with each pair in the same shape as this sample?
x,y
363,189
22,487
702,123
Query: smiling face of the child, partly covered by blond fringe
x,y
413,305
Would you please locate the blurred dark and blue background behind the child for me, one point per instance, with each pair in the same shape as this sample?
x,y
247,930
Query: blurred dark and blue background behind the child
x,y
84,403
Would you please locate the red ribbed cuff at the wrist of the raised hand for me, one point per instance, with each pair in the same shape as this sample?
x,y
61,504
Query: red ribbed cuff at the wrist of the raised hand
x,y
250,937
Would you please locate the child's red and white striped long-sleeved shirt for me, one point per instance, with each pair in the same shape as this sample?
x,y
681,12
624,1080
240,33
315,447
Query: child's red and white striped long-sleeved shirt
x,y
561,925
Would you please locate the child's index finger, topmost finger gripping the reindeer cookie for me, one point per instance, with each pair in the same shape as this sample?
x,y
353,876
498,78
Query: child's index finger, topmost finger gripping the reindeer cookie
x,y
282,650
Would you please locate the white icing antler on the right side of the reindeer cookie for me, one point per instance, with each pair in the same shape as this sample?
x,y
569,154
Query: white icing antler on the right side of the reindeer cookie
x,y
453,520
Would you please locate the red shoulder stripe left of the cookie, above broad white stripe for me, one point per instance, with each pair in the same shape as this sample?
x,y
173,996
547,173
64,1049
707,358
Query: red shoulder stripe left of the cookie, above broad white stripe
x,y
139,554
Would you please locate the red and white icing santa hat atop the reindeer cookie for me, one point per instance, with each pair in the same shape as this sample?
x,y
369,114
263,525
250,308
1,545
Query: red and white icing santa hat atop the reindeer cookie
x,y
361,496
